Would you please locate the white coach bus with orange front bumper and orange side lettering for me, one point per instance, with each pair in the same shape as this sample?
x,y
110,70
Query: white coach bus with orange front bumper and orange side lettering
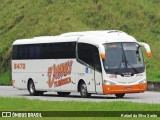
x,y
91,62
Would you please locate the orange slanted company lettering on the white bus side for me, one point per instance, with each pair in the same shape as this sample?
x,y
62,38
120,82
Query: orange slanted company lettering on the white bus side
x,y
56,72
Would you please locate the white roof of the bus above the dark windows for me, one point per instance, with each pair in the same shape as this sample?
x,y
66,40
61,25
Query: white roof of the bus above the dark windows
x,y
92,37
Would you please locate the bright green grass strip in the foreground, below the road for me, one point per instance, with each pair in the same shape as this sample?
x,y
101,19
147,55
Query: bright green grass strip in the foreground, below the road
x,y
23,104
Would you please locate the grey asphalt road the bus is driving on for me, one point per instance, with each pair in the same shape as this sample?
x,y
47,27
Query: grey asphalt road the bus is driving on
x,y
147,97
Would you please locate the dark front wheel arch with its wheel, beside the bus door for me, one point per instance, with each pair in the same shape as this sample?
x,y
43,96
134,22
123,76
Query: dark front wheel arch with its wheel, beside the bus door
x,y
82,88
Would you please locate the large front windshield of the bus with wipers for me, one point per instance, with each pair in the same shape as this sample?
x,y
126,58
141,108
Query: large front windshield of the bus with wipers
x,y
123,58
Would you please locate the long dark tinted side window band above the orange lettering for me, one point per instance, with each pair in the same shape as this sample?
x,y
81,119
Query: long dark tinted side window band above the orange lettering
x,y
44,51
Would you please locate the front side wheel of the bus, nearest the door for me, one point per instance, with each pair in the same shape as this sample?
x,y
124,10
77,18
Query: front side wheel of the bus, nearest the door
x,y
83,90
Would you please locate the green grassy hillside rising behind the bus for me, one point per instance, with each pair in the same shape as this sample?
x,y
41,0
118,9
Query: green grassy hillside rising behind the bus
x,y
29,18
